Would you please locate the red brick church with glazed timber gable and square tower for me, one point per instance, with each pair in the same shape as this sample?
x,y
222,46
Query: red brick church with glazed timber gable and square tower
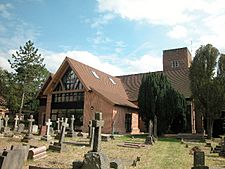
x,y
80,90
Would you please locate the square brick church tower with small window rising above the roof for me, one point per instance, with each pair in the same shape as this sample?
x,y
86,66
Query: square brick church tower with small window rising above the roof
x,y
174,59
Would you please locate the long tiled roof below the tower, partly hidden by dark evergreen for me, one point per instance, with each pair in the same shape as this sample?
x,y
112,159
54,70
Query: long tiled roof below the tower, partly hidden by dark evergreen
x,y
179,80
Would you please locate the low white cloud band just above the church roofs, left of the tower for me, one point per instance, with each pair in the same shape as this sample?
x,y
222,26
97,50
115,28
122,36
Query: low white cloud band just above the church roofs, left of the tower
x,y
144,63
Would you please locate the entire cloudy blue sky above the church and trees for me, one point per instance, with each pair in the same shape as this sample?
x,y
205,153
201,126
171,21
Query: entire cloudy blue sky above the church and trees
x,y
115,36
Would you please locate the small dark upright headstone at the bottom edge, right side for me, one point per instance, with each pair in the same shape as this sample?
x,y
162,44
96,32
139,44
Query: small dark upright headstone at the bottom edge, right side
x,y
199,160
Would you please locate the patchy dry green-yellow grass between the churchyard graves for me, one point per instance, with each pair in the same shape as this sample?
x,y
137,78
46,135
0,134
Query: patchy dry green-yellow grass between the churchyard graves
x,y
167,153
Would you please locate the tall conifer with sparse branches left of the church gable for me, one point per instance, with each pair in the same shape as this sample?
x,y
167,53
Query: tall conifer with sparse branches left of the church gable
x,y
30,72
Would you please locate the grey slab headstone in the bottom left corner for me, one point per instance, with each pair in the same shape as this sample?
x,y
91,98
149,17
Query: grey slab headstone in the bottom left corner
x,y
12,159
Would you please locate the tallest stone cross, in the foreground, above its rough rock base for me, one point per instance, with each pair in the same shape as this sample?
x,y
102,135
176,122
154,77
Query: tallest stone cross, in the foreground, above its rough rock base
x,y
97,124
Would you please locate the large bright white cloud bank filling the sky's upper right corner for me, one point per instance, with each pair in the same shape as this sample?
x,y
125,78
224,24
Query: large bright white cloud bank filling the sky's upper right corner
x,y
201,21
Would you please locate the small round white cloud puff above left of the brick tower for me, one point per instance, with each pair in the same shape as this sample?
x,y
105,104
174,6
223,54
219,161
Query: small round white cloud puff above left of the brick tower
x,y
178,32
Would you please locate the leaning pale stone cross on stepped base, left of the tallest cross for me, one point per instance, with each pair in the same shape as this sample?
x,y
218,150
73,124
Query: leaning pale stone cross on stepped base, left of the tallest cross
x,y
60,147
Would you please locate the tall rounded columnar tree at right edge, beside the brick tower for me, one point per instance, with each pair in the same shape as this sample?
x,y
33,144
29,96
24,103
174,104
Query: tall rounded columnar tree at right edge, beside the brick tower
x,y
207,89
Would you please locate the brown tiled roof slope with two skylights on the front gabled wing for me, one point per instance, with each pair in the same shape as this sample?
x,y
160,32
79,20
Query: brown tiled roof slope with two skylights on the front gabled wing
x,y
113,92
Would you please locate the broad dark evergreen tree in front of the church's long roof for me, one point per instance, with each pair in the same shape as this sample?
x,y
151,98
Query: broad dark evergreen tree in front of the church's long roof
x,y
158,99
